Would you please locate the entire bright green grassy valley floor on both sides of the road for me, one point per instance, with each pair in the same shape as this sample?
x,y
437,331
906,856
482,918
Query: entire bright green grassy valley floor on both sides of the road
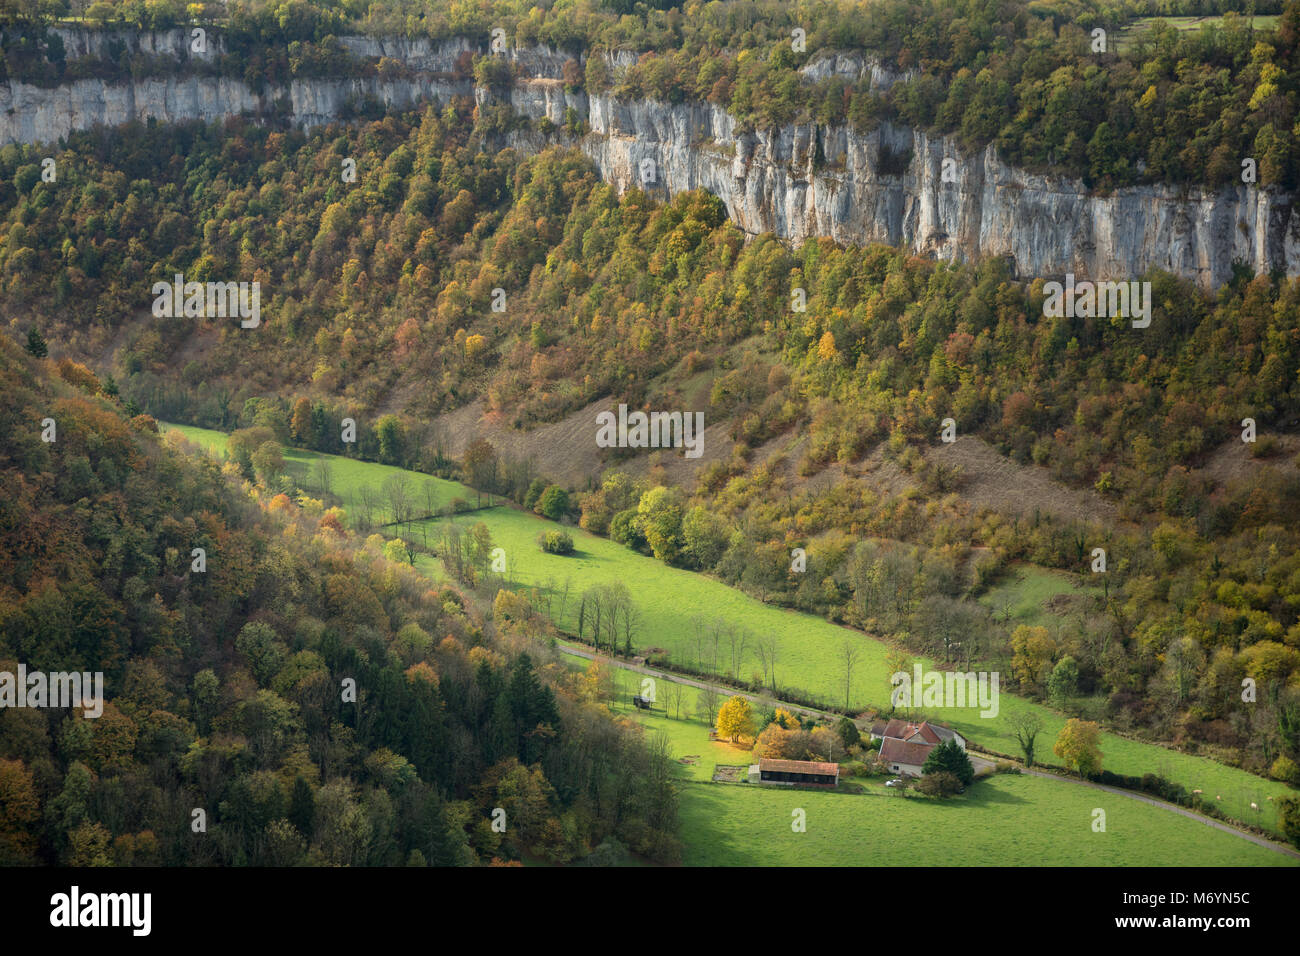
x,y
1026,814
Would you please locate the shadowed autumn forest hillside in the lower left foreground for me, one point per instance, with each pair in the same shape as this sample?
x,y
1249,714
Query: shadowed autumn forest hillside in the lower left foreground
x,y
228,687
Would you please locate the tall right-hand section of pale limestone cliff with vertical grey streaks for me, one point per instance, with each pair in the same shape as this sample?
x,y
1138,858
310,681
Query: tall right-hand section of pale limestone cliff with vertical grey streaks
x,y
775,181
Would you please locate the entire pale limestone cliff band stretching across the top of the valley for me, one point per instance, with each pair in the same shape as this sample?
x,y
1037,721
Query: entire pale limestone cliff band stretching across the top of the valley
x,y
798,181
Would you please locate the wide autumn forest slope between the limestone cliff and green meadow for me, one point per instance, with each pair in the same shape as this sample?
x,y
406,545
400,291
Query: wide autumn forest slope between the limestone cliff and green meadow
x,y
378,305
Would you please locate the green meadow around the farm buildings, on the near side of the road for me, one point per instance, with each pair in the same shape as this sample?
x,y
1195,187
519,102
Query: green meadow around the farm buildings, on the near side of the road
x,y
1004,820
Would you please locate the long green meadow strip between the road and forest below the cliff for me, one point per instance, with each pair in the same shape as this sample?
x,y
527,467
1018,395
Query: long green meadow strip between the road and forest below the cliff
x,y
671,599
